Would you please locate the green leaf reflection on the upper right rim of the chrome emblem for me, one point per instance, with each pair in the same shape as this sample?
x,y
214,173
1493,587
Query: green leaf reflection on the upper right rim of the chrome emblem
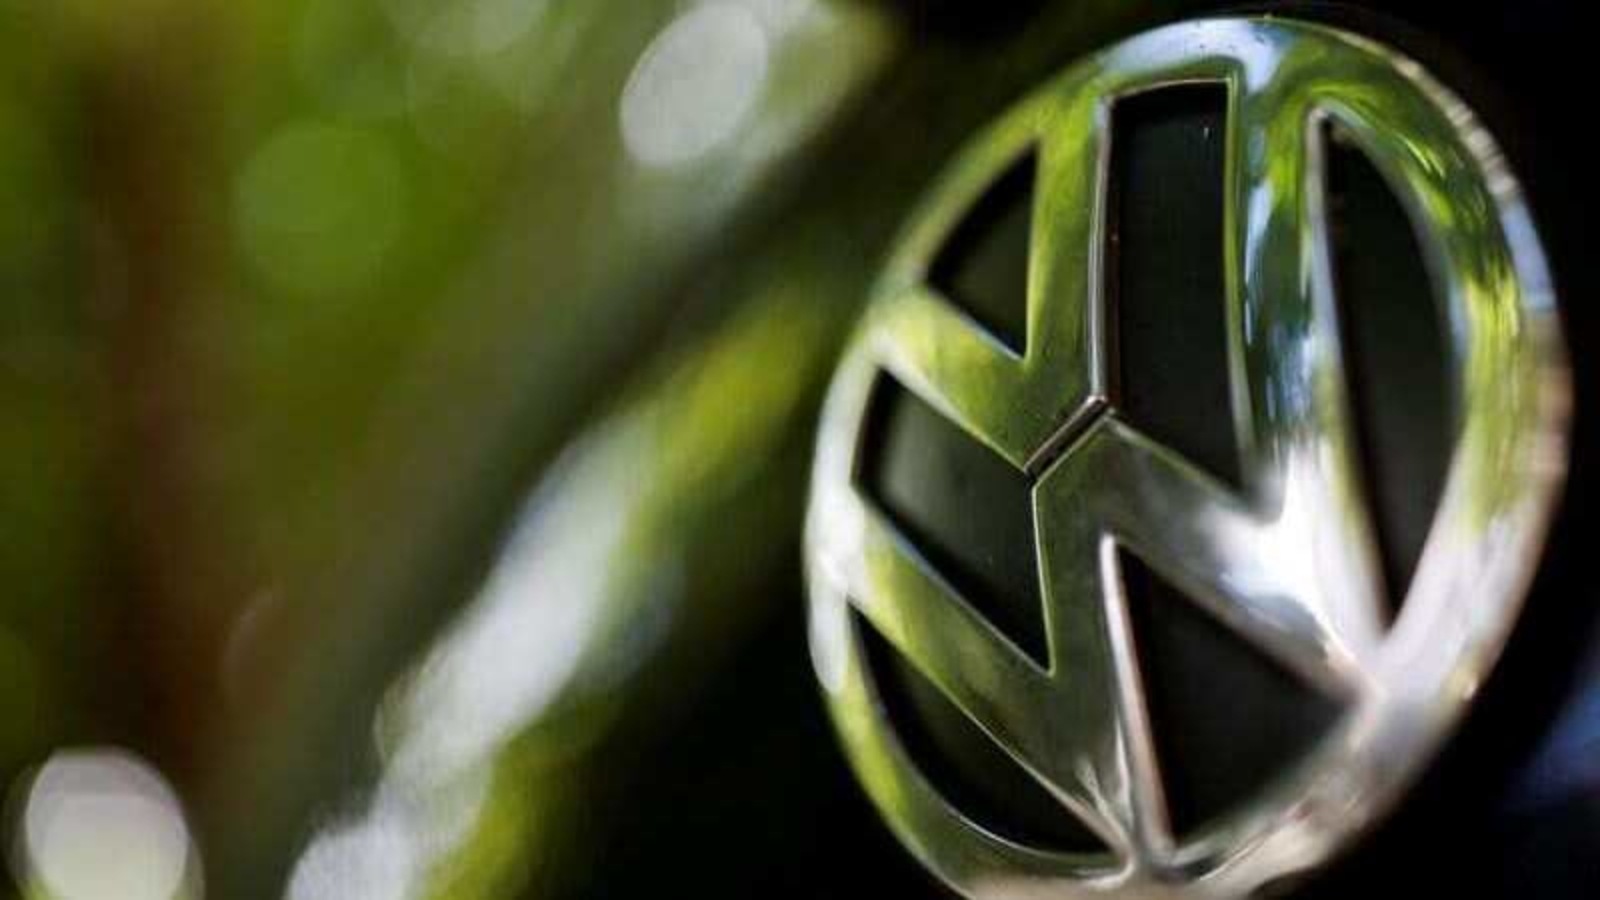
x,y
1450,177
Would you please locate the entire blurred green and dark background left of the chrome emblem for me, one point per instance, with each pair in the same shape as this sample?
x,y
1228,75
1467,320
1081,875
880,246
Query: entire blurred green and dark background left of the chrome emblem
x,y
404,422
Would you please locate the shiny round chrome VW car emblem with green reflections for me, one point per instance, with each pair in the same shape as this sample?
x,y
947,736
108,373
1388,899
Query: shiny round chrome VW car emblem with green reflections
x,y
1286,561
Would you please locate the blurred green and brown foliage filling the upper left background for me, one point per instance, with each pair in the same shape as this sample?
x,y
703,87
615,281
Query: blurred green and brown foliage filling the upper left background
x,y
274,281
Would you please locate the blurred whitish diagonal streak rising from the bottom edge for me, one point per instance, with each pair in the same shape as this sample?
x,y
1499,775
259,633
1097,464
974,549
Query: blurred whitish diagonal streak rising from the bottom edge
x,y
526,641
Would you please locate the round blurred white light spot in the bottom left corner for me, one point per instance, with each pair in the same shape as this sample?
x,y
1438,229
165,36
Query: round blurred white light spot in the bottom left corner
x,y
105,826
